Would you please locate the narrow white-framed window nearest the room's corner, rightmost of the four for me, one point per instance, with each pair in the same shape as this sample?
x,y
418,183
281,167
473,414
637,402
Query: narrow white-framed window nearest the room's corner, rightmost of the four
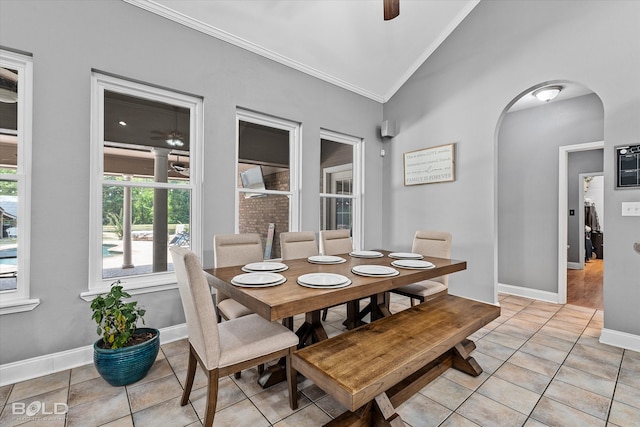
x,y
340,188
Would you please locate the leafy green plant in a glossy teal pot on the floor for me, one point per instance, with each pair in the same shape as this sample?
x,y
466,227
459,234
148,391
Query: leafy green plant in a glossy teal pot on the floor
x,y
124,353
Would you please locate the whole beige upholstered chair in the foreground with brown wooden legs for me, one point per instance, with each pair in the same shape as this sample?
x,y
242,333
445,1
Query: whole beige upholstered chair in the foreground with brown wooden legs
x,y
225,348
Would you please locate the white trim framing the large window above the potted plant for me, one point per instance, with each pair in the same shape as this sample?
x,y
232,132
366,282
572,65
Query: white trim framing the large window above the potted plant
x,y
147,282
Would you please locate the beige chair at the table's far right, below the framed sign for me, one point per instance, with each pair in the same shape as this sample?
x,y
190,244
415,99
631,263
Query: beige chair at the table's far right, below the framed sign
x,y
428,243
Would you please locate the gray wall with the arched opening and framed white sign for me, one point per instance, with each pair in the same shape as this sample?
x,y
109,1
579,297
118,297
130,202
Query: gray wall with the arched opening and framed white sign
x,y
501,50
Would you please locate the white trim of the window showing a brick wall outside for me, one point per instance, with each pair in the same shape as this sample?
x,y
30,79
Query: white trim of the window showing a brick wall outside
x,y
294,130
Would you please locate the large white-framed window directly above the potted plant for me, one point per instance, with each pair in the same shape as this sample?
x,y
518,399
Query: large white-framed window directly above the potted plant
x,y
145,147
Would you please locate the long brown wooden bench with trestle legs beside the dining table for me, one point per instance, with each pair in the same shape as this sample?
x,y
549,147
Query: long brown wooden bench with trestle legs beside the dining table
x,y
373,369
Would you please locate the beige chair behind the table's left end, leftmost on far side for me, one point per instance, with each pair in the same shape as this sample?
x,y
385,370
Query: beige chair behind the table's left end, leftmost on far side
x,y
234,249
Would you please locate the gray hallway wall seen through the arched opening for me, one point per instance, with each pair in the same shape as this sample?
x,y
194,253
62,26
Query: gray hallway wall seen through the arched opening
x,y
528,186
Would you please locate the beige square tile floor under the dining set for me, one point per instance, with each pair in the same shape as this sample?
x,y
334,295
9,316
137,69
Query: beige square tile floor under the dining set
x,y
543,365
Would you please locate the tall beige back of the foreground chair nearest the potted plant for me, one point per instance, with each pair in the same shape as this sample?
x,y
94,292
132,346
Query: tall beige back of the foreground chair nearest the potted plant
x,y
202,323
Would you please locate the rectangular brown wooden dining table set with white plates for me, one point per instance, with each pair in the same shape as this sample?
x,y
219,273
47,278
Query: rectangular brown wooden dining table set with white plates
x,y
290,298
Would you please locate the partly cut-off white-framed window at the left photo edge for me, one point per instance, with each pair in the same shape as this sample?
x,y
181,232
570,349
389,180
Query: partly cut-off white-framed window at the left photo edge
x,y
15,181
